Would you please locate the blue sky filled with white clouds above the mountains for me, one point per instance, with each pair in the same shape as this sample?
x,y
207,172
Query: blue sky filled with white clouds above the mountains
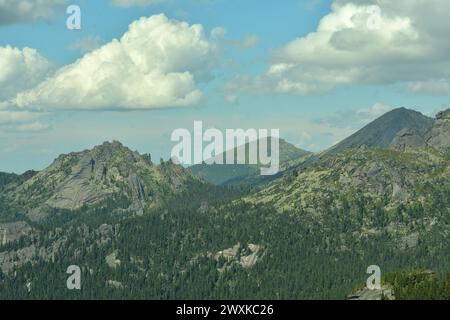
x,y
318,70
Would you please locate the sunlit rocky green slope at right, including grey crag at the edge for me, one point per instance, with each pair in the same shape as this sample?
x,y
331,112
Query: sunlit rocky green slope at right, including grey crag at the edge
x,y
387,179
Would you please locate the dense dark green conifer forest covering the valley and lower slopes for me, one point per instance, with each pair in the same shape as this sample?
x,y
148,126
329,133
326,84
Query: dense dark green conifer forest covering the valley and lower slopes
x,y
166,253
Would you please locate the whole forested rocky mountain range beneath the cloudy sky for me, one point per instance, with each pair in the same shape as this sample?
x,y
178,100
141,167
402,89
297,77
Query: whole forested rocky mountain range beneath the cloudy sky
x,y
143,230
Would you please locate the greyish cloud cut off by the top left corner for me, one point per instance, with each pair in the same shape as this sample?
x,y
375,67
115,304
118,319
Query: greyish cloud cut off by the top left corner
x,y
23,11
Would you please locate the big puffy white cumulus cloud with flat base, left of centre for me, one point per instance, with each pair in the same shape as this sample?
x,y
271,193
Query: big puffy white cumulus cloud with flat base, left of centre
x,y
157,63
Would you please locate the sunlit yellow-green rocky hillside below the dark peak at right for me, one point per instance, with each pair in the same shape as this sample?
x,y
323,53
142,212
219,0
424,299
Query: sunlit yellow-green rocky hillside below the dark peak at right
x,y
393,177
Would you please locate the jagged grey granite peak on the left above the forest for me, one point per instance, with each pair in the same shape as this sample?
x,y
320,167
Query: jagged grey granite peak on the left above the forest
x,y
109,172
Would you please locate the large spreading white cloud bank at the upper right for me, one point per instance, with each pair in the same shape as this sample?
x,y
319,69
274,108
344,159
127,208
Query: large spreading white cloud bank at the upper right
x,y
406,41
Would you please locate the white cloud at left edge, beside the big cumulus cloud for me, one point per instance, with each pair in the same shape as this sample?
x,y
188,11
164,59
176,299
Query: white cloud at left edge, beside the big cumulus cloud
x,y
20,69
